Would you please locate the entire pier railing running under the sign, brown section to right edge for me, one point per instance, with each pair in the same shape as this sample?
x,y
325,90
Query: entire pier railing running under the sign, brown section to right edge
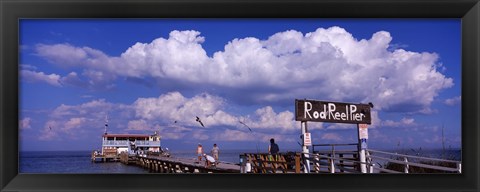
x,y
341,161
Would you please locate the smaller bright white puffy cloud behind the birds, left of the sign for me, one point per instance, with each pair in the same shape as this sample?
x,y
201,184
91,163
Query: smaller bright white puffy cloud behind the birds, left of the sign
x,y
174,106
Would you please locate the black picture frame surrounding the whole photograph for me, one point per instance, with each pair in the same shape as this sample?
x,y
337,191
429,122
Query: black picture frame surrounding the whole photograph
x,y
13,10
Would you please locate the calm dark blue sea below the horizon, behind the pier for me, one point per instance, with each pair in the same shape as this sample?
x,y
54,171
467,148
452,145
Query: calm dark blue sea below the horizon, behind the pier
x,y
79,161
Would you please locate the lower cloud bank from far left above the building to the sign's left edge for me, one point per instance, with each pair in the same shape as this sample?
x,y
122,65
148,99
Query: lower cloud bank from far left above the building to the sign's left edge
x,y
172,114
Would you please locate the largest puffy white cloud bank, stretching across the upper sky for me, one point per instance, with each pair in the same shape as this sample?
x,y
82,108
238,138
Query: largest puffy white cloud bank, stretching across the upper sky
x,y
327,63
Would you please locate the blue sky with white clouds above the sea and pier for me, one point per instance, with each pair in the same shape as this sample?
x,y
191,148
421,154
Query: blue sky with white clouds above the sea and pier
x,y
147,74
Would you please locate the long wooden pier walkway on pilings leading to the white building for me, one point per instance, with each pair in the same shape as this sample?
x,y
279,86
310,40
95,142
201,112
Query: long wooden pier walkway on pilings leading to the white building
x,y
159,164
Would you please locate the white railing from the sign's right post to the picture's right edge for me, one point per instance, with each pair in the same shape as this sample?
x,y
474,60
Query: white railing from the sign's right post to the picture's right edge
x,y
409,161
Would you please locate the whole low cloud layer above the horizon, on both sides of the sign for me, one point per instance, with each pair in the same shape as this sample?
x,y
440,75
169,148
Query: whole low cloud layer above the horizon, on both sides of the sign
x,y
173,116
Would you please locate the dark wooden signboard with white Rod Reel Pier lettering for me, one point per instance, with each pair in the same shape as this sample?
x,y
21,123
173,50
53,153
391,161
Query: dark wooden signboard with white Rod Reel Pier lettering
x,y
333,112
